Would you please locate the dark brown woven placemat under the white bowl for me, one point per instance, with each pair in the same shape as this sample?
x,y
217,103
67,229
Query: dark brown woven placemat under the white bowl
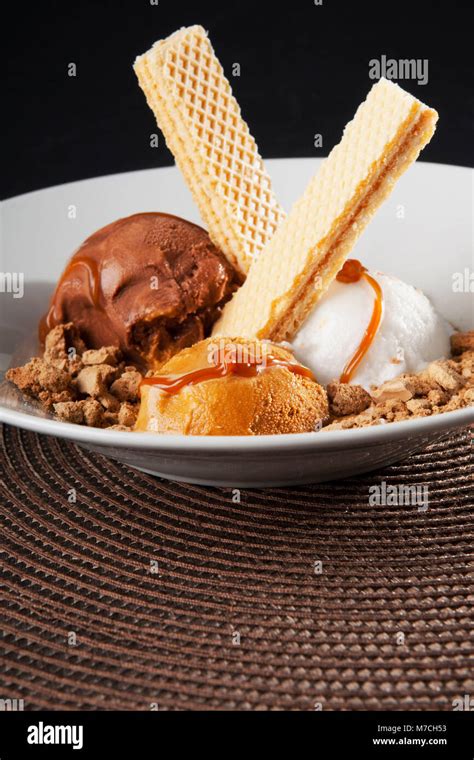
x,y
176,596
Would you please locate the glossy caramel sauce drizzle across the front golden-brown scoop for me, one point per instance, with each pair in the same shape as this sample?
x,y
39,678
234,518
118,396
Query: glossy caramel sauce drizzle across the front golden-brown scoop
x,y
172,384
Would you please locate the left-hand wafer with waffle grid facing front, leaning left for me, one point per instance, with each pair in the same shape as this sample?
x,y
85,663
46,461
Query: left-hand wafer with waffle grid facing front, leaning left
x,y
186,88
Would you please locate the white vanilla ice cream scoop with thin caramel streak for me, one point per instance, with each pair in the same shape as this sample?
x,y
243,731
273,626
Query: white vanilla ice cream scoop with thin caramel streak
x,y
411,333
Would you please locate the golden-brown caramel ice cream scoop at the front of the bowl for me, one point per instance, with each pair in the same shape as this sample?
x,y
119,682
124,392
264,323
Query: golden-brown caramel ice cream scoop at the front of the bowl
x,y
232,387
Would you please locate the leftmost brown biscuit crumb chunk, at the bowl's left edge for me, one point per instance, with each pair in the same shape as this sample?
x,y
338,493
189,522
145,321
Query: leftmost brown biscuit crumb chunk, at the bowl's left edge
x,y
43,381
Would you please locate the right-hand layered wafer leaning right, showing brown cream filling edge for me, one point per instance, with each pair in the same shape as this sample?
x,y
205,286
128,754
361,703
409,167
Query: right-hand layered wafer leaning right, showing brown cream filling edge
x,y
308,250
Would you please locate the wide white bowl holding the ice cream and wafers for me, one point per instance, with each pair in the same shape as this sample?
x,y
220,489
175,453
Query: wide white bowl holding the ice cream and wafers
x,y
422,234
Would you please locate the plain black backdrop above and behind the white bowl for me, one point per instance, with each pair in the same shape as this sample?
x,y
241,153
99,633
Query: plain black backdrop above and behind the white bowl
x,y
304,70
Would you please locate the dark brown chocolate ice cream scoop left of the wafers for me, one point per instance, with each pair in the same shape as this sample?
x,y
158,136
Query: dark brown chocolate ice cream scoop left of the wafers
x,y
150,284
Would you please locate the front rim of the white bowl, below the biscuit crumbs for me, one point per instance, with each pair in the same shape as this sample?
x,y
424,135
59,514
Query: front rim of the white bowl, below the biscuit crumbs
x,y
332,440
